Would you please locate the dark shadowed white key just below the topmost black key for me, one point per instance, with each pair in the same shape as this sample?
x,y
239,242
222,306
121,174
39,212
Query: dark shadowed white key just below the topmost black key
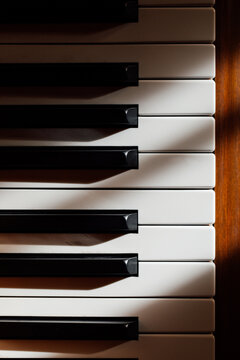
x,y
181,25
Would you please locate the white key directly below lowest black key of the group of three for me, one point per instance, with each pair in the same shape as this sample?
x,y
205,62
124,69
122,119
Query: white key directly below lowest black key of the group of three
x,y
155,171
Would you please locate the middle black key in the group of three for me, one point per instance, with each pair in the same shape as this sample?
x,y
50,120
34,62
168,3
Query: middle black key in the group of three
x,y
69,116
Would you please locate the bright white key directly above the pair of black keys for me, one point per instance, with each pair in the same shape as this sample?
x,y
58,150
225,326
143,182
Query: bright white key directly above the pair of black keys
x,y
155,207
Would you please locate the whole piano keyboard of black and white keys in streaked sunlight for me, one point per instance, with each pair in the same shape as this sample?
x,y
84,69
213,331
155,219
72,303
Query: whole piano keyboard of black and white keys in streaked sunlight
x,y
107,176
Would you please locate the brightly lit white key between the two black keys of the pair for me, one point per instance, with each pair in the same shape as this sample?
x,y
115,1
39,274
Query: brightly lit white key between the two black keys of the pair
x,y
152,243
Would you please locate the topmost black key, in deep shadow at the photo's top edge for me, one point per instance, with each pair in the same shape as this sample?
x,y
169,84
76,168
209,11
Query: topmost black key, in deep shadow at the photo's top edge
x,y
71,12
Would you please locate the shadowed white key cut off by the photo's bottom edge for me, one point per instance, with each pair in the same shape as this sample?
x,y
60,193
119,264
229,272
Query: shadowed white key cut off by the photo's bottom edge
x,y
148,347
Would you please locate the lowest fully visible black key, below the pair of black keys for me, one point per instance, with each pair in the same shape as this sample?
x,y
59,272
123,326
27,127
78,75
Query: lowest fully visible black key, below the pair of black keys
x,y
68,328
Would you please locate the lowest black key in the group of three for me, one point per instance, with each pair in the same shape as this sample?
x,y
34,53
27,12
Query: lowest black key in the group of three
x,y
49,157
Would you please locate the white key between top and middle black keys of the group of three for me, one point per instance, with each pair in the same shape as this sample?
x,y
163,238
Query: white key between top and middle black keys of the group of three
x,y
156,97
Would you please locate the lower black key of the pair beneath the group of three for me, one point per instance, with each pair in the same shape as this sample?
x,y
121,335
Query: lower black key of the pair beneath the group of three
x,y
68,265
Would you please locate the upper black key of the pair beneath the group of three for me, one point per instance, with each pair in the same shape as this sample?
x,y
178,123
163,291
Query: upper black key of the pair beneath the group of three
x,y
69,221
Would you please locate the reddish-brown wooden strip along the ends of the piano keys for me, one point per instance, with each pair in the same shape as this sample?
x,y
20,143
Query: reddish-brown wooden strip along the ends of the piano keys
x,y
228,178
